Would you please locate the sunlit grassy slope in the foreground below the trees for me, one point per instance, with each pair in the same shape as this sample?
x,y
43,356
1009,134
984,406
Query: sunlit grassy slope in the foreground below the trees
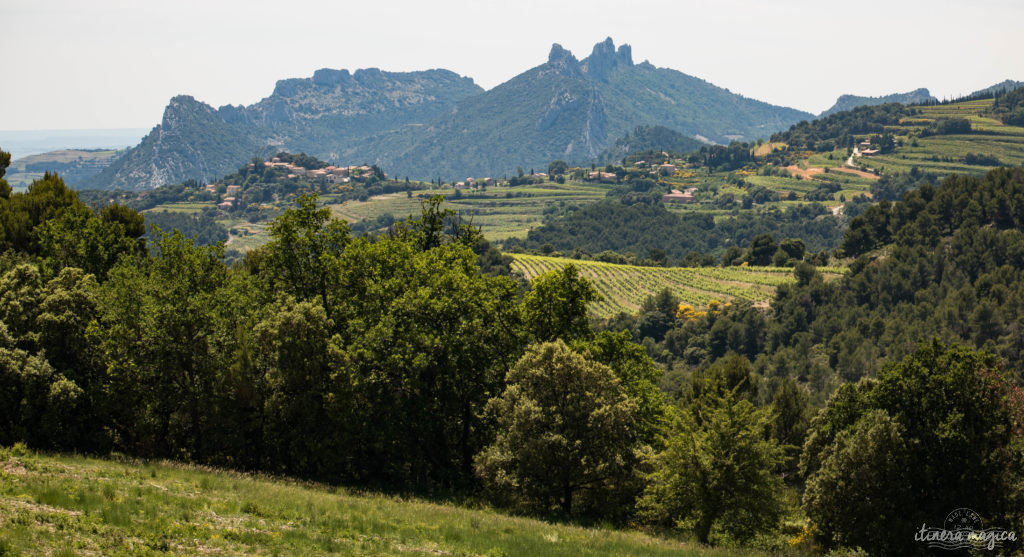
x,y
63,505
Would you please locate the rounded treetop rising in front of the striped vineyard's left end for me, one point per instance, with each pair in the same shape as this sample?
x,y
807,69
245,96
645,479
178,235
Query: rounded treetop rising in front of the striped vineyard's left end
x,y
557,306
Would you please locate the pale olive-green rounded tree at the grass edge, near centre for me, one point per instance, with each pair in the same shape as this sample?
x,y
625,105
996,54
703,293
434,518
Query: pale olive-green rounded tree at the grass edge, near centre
x,y
566,433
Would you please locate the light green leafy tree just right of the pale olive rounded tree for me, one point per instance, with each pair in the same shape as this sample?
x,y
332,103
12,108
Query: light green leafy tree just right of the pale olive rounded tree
x,y
717,474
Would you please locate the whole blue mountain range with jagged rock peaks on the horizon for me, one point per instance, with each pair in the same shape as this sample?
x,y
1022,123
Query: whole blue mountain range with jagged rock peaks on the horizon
x,y
438,124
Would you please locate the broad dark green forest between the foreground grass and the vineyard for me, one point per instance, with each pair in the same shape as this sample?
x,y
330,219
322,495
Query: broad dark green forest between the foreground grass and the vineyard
x,y
865,407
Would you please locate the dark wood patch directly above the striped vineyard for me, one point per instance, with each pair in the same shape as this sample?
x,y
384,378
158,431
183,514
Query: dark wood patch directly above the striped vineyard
x,y
638,229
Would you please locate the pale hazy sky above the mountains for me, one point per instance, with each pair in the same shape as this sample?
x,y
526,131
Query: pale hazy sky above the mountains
x,y
107,64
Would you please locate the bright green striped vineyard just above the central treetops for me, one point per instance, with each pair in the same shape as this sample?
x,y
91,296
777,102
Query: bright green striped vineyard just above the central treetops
x,y
624,288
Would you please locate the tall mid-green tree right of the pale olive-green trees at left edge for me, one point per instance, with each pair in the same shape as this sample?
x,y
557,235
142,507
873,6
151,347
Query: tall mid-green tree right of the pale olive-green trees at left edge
x,y
165,329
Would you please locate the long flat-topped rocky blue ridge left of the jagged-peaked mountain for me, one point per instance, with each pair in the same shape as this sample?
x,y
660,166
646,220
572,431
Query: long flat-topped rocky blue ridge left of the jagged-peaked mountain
x,y
326,115
